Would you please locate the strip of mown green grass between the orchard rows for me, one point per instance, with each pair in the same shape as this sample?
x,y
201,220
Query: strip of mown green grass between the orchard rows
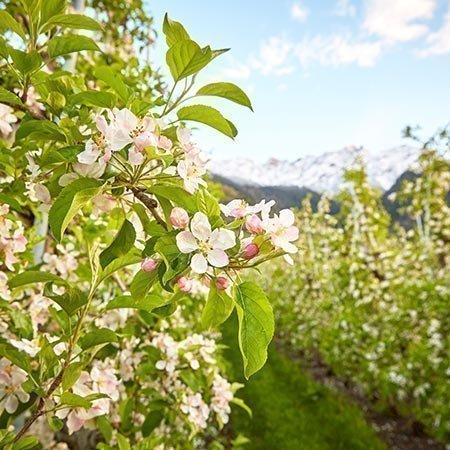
x,y
291,411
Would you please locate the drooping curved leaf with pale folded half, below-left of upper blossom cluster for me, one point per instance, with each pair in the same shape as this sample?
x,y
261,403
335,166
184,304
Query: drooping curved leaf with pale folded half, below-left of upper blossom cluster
x,y
70,200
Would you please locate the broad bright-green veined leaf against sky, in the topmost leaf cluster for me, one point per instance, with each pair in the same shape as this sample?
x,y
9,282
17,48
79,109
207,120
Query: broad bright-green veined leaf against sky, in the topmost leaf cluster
x,y
186,58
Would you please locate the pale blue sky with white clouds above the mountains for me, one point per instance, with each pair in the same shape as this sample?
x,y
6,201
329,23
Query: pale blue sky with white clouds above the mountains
x,y
322,74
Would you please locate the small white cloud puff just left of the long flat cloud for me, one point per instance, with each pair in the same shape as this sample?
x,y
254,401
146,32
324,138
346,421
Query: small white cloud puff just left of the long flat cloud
x,y
272,57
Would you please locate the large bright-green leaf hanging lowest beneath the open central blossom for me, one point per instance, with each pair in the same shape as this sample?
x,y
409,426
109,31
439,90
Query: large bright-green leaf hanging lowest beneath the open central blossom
x,y
256,325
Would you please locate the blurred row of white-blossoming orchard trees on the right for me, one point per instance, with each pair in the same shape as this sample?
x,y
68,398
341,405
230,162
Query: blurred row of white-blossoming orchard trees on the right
x,y
372,297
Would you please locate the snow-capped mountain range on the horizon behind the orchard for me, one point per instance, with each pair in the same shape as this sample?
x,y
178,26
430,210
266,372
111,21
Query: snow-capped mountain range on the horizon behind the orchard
x,y
320,173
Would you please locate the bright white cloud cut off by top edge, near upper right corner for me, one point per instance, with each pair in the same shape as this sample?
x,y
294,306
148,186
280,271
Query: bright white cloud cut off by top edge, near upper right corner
x,y
397,20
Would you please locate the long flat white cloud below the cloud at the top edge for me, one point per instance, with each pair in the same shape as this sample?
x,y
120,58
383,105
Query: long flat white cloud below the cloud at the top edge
x,y
337,50
